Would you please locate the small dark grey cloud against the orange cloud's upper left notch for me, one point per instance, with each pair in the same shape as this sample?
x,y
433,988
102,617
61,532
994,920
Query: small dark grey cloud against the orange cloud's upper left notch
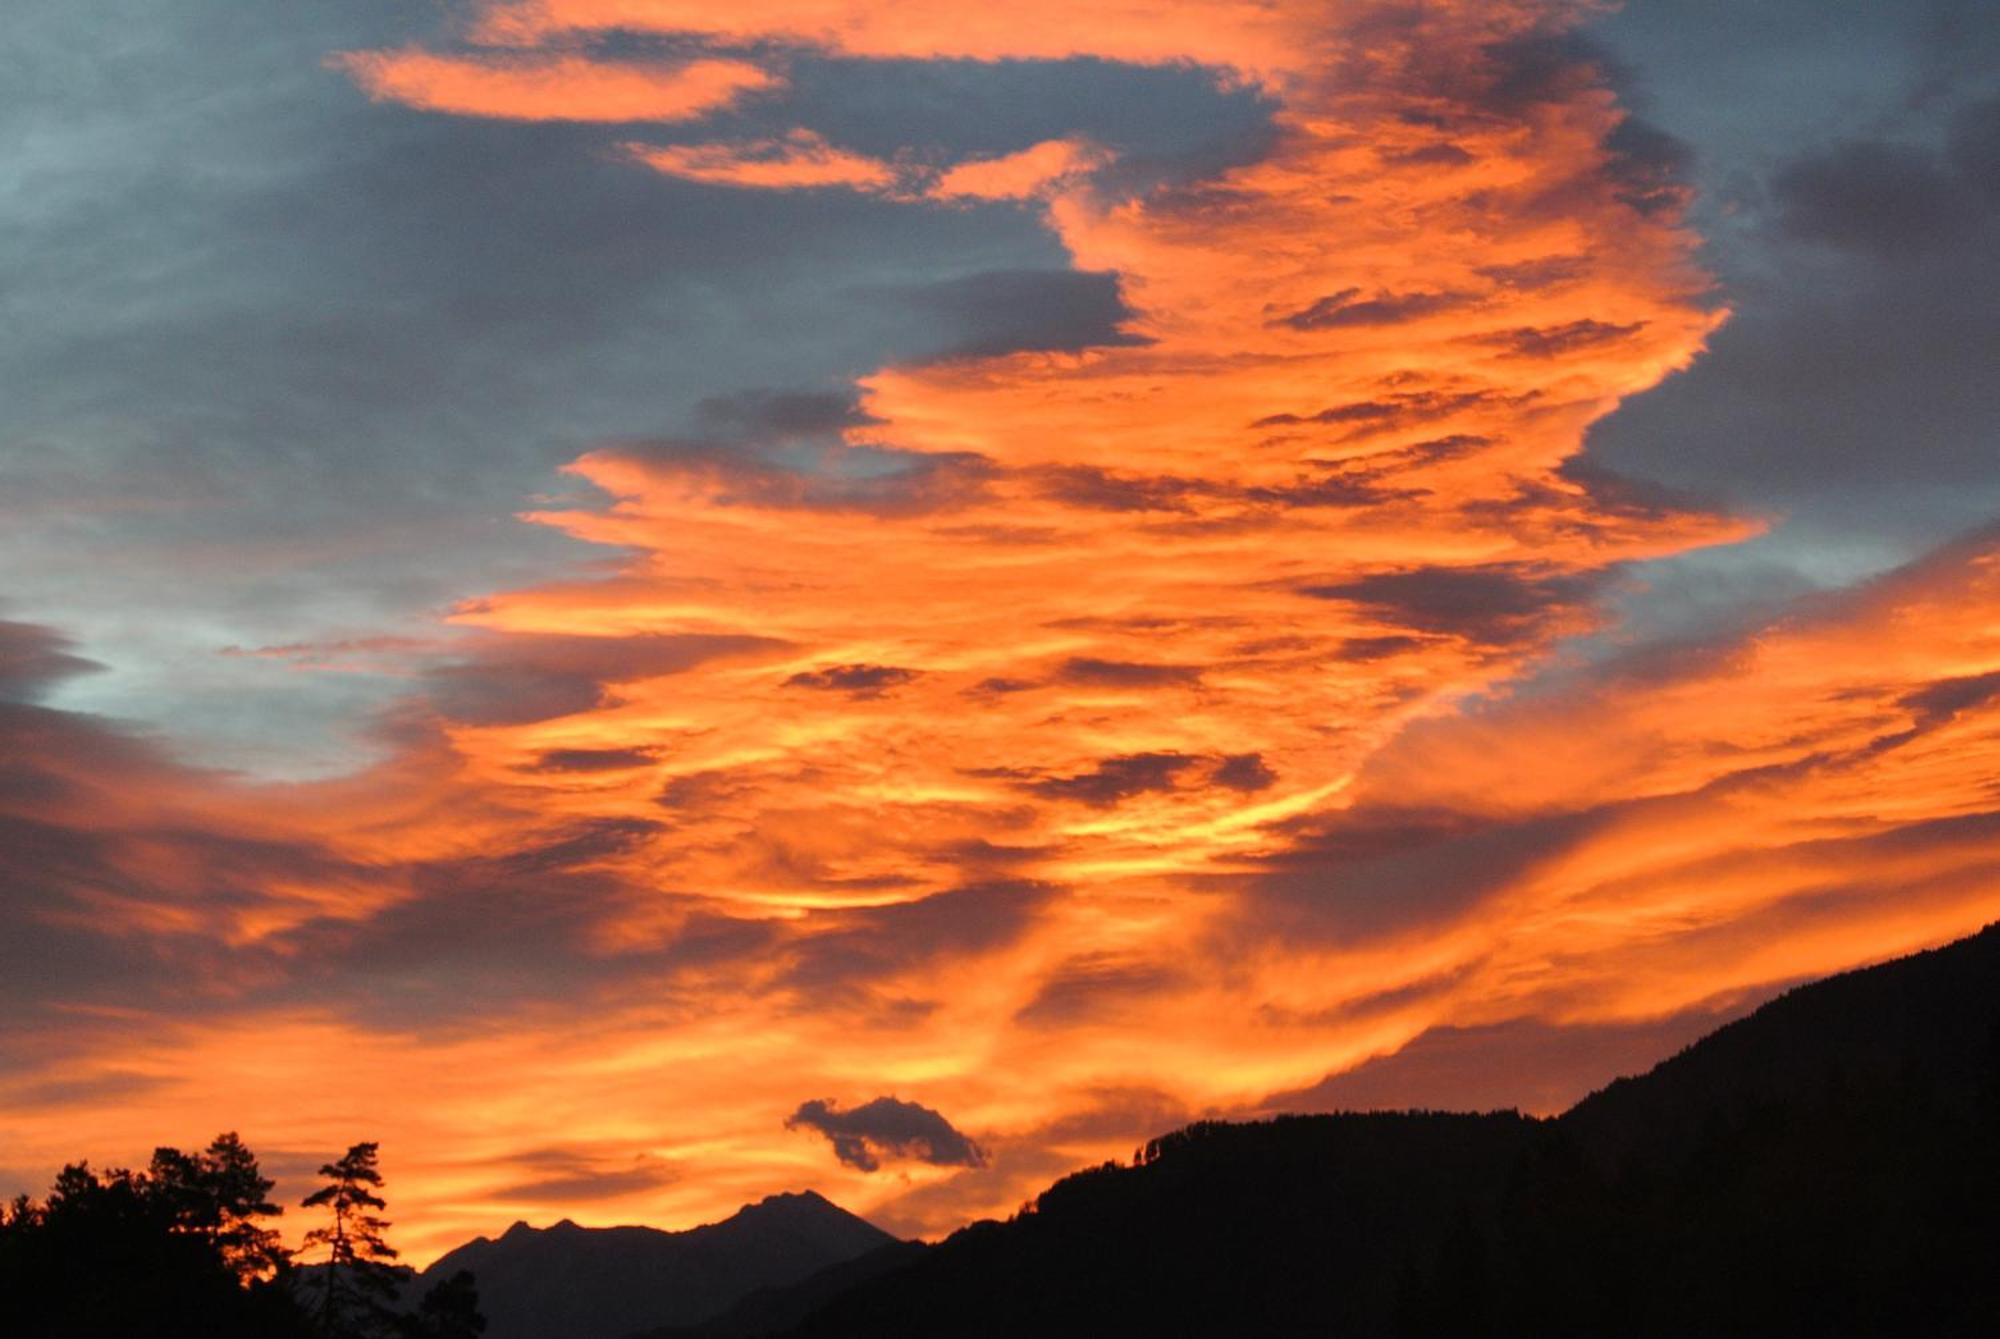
x,y
1019,311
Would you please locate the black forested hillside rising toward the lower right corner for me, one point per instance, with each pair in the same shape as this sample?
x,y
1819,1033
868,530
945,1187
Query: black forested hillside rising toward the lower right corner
x,y
1825,1166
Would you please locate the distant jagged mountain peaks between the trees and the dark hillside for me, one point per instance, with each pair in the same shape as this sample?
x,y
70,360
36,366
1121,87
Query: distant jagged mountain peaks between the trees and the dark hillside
x,y
573,1282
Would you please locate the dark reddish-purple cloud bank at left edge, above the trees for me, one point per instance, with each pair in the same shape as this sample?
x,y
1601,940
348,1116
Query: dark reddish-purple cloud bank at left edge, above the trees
x,y
119,896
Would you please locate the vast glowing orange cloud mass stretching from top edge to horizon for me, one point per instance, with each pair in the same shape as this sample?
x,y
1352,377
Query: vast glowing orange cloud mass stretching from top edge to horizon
x,y
1079,742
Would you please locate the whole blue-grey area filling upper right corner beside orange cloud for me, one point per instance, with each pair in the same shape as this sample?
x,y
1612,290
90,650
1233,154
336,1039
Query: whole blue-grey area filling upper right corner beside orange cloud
x,y
1853,213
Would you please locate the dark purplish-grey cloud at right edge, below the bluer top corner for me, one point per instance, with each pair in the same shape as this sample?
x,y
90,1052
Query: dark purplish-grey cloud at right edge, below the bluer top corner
x,y
1851,393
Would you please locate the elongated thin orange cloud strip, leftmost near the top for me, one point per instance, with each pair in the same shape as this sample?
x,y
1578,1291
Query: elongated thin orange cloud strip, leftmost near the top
x,y
555,87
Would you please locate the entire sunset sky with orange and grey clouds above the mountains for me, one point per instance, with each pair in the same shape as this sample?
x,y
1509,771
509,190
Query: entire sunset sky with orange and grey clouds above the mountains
x,y
653,605
